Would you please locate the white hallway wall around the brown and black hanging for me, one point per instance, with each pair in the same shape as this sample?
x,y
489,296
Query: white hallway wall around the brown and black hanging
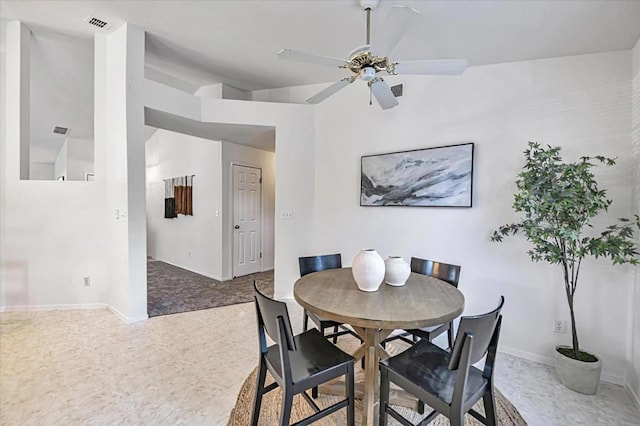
x,y
191,242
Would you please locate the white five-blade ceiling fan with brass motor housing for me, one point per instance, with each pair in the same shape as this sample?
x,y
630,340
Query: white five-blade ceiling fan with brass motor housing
x,y
366,62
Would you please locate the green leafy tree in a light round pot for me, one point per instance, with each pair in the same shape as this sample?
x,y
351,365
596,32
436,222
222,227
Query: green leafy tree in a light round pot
x,y
558,201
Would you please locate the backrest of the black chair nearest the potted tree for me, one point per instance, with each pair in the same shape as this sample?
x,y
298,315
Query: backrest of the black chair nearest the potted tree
x,y
482,328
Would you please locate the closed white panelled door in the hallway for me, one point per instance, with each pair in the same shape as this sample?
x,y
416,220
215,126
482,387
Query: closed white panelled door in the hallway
x,y
247,220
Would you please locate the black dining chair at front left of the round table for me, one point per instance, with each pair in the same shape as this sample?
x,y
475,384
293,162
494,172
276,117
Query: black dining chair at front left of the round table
x,y
297,363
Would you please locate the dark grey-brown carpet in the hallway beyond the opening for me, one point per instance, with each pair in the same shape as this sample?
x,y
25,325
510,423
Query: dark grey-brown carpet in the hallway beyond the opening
x,y
171,289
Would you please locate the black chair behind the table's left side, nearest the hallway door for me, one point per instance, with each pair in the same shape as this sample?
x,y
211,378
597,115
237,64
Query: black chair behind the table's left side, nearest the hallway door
x,y
309,264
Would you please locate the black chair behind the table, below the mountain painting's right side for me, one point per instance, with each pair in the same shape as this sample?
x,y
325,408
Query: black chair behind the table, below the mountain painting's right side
x,y
446,272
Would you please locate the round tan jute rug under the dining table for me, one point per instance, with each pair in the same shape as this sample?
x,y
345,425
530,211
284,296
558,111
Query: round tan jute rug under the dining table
x,y
508,415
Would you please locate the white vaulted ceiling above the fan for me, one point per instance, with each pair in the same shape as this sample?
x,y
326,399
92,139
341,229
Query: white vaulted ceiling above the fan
x,y
236,42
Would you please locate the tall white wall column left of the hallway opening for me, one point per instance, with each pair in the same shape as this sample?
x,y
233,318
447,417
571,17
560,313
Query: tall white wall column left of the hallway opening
x,y
120,167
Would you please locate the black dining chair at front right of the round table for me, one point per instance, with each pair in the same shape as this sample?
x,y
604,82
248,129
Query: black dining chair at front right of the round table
x,y
447,381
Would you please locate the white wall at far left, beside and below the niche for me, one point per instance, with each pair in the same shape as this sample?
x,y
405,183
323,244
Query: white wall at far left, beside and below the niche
x,y
51,233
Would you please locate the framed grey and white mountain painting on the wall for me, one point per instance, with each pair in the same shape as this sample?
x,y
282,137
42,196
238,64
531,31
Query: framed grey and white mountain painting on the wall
x,y
430,177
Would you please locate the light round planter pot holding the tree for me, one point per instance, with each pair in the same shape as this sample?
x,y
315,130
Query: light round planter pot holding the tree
x,y
579,376
